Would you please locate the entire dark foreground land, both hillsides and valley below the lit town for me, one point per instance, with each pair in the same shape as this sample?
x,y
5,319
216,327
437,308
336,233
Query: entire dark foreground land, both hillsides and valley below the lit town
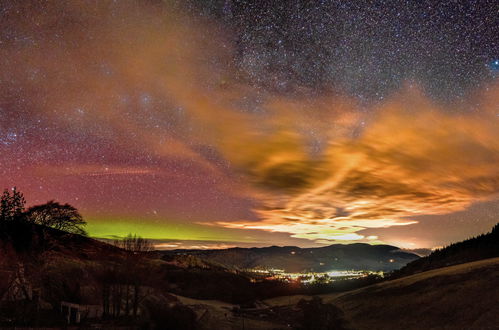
x,y
43,269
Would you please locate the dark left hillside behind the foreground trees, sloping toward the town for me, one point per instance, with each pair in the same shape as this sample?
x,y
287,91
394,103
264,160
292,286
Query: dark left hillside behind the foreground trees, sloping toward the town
x,y
71,267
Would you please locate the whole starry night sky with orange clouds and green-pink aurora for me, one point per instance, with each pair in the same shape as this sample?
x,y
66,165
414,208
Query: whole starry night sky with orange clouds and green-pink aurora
x,y
212,124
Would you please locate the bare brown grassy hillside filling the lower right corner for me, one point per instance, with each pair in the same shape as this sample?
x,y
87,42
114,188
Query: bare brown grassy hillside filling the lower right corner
x,y
464,296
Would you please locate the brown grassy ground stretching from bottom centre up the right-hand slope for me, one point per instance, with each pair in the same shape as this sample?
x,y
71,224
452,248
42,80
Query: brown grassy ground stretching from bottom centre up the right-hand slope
x,y
457,297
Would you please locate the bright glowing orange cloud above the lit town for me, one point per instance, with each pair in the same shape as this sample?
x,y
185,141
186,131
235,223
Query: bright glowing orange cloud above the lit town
x,y
414,158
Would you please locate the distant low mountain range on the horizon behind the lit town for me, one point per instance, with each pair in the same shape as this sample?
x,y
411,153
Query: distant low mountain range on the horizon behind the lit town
x,y
294,259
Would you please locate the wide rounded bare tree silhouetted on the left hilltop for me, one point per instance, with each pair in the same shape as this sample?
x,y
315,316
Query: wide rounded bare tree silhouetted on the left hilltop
x,y
60,216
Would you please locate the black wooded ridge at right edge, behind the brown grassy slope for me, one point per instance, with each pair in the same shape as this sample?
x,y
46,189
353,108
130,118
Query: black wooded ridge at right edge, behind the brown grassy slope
x,y
481,247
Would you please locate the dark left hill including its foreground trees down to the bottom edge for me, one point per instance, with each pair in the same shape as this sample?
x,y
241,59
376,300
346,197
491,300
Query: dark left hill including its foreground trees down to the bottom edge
x,y
41,267
